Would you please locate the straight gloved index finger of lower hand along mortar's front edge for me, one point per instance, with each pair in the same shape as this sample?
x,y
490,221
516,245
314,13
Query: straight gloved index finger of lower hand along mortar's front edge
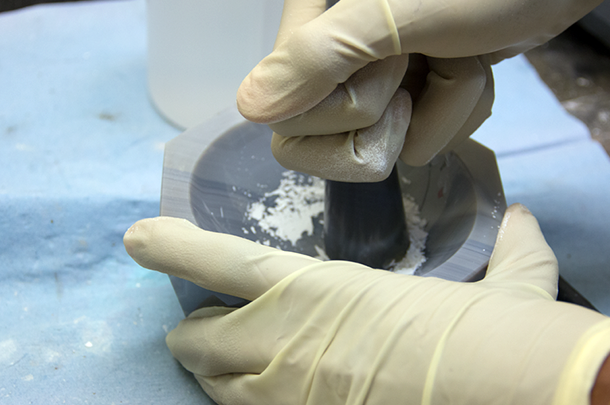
x,y
218,262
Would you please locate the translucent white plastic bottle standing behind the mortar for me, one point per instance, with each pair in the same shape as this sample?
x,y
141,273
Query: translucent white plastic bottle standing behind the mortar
x,y
199,51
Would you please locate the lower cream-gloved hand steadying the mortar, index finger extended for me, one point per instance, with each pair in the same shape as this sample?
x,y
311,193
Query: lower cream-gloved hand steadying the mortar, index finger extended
x,y
341,333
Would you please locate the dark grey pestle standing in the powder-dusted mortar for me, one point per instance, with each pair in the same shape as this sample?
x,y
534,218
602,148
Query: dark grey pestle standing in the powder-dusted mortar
x,y
365,222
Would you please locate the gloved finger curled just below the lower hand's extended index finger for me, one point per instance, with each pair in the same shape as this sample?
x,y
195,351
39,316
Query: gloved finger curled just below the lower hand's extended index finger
x,y
246,340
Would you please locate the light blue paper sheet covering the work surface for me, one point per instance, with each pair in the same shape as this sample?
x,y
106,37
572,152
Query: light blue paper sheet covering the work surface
x,y
81,151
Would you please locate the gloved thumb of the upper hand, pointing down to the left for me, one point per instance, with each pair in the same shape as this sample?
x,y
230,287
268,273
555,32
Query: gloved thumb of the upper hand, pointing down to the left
x,y
307,65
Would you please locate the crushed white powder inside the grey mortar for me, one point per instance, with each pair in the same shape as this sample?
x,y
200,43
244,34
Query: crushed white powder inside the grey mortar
x,y
289,212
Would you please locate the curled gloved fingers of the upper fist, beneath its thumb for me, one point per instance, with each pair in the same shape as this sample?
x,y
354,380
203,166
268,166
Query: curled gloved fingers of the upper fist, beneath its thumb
x,y
439,103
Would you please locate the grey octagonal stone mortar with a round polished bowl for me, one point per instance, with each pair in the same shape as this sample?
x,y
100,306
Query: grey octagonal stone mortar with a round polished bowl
x,y
214,170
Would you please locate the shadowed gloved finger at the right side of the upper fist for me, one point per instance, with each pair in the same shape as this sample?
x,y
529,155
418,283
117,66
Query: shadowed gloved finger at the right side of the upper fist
x,y
450,101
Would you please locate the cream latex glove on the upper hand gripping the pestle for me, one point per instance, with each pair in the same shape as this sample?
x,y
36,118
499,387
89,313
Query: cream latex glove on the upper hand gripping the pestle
x,y
312,84
